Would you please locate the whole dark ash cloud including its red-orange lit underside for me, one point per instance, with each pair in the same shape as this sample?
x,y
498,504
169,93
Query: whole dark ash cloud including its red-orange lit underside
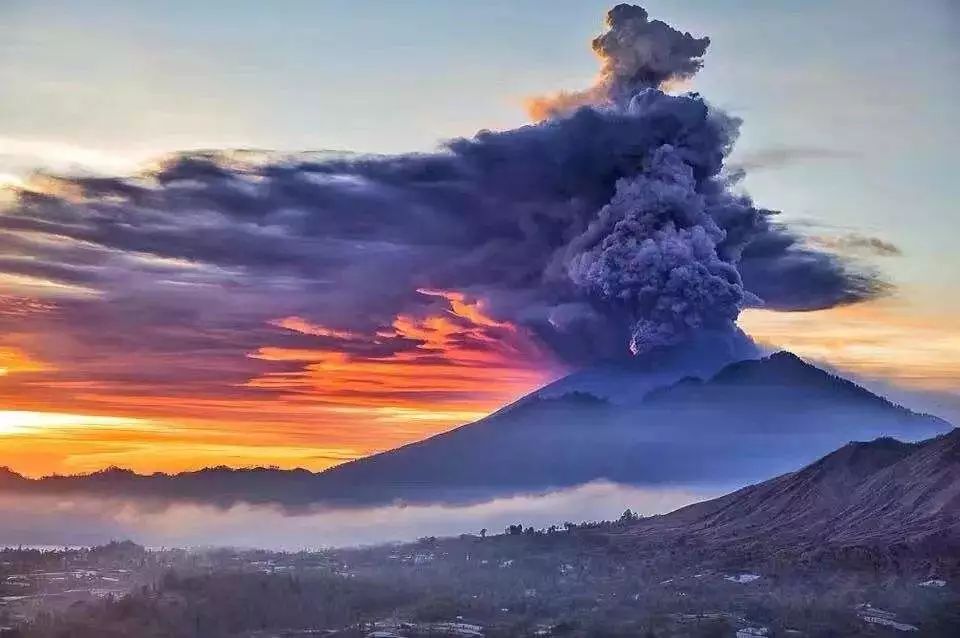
x,y
607,230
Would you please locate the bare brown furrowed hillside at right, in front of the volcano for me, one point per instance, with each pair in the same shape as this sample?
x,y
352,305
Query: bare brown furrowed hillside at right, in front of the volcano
x,y
879,493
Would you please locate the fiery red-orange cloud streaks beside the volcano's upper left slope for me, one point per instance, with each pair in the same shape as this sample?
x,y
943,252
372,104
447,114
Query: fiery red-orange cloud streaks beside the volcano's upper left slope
x,y
460,357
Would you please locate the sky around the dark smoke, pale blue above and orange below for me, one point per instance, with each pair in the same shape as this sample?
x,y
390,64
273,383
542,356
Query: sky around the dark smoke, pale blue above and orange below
x,y
848,128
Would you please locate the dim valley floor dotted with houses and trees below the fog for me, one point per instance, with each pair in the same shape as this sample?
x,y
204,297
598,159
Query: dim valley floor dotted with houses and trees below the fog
x,y
563,582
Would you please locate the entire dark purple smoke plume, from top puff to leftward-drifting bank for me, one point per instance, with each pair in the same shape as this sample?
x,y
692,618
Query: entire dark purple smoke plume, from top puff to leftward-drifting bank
x,y
606,228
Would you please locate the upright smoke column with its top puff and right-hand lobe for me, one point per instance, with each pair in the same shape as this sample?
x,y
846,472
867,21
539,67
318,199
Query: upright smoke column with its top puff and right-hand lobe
x,y
668,248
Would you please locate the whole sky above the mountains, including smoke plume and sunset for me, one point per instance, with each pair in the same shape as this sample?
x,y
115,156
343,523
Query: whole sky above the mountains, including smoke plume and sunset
x,y
190,277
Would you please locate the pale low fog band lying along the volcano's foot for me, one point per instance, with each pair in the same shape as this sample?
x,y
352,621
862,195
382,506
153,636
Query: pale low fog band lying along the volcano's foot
x,y
60,520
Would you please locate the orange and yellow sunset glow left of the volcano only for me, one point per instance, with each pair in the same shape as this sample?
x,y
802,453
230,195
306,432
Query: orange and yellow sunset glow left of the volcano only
x,y
310,407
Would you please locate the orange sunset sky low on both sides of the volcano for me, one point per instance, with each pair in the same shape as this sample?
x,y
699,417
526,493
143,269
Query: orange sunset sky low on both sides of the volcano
x,y
322,406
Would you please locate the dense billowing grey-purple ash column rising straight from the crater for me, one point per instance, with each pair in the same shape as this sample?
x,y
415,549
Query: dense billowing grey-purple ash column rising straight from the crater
x,y
658,257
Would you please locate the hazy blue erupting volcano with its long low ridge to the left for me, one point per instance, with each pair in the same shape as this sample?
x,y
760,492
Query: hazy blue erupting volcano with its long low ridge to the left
x,y
751,420
